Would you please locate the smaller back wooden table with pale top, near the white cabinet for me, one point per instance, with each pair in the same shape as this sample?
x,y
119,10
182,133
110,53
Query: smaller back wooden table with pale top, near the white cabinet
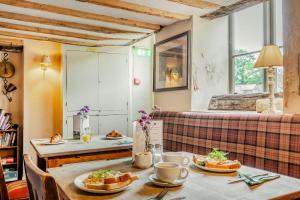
x,y
74,151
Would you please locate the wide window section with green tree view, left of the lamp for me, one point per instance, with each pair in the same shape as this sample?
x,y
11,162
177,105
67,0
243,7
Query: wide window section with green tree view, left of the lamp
x,y
248,32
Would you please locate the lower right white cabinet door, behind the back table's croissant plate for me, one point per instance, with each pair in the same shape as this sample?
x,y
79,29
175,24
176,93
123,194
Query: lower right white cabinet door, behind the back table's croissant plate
x,y
108,123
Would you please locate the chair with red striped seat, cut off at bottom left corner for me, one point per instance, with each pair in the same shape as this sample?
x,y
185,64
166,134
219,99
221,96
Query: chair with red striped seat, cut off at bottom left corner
x,y
16,190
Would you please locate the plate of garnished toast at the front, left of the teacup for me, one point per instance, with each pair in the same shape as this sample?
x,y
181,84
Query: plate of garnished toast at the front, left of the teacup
x,y
104,181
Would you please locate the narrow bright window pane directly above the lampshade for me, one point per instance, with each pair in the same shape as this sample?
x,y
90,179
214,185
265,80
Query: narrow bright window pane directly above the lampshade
x,y
279,25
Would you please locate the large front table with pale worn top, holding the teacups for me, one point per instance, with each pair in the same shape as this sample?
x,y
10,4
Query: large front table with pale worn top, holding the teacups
x,y
199,185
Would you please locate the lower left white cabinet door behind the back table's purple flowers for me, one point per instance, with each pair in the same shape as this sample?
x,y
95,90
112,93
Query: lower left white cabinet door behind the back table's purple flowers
x,y
94,126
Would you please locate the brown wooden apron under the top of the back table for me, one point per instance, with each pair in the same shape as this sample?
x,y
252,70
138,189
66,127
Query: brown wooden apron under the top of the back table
x,y
59,161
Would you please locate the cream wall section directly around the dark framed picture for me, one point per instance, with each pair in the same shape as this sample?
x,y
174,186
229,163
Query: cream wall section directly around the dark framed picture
x,y
179,100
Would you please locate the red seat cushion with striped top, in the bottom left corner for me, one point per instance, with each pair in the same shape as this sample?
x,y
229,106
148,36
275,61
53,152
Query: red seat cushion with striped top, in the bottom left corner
x,y
18,190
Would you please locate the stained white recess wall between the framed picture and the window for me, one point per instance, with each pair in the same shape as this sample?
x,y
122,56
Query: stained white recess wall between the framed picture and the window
x,y
209,61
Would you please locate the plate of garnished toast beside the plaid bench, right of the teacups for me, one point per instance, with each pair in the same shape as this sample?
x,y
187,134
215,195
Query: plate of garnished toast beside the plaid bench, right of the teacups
x,y
216,161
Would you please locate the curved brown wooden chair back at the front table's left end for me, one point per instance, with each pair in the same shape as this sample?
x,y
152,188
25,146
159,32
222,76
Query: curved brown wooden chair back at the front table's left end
x,y
41,185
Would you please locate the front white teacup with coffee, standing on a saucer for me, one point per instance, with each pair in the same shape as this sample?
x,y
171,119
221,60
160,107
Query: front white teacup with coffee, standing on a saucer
x,y
170,172
